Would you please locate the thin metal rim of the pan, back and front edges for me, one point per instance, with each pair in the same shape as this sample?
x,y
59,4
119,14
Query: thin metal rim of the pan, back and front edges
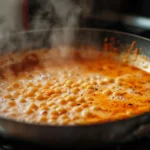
x,y
73,126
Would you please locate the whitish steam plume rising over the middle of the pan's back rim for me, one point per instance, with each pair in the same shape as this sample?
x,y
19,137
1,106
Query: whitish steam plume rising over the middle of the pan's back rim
x,y
61,14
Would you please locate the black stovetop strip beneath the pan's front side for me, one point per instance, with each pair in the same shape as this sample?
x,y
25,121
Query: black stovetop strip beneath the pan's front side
x,y
143,144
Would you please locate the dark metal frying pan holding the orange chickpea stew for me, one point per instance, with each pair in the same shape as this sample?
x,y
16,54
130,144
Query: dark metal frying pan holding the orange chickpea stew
x,y
104,133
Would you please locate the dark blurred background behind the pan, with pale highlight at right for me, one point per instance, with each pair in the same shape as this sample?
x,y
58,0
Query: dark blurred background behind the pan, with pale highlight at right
x,y
123,15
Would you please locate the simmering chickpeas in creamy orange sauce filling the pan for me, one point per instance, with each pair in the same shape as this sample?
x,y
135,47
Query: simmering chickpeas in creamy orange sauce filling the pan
x,y
79,87
